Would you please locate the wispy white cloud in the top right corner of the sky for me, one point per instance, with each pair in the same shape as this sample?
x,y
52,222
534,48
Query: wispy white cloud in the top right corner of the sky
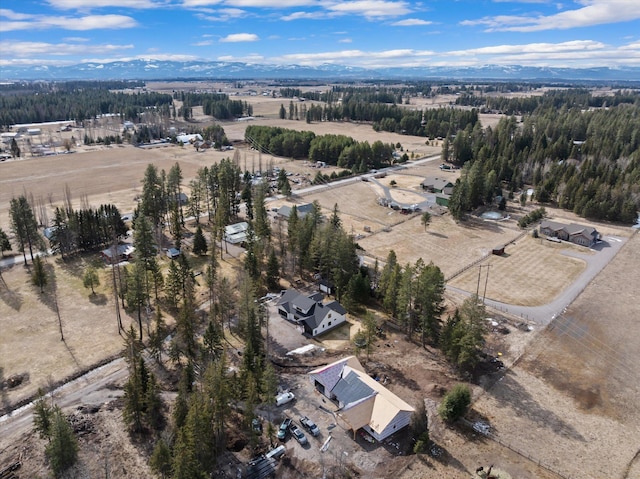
x,y
592,12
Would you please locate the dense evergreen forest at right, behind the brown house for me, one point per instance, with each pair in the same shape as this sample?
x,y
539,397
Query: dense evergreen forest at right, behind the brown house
x,y
586,161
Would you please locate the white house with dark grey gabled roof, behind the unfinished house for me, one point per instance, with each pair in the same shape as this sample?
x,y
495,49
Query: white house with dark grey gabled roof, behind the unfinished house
x,y
316,317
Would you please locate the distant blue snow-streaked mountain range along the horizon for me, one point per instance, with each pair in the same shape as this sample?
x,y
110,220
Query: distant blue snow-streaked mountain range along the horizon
x,y
192,70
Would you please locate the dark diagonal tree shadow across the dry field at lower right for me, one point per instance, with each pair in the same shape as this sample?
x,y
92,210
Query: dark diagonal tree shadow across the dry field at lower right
x,y
510,393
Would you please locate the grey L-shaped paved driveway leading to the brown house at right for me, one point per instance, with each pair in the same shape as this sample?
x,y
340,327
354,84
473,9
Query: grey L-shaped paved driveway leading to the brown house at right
x,y
543,315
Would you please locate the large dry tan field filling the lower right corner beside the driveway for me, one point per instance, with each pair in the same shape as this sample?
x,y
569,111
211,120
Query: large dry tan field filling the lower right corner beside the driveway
x,y
573,400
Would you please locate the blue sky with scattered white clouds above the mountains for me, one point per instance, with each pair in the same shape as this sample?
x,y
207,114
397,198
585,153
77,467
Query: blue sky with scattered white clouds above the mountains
x,y
363,33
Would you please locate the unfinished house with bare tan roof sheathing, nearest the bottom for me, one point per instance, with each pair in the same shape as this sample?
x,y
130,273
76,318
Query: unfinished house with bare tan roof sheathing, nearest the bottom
x,y
363,403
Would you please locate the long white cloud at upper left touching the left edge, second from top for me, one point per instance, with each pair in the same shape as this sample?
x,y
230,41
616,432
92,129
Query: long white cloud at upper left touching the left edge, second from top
x,y
42,22
